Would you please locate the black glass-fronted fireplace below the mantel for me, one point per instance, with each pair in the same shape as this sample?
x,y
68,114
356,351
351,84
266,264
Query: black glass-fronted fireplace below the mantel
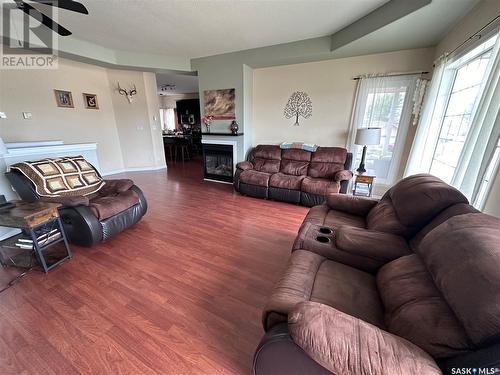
x,y
218,162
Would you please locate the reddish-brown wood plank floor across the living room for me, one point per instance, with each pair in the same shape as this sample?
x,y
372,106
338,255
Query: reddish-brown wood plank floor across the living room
x,y
179,293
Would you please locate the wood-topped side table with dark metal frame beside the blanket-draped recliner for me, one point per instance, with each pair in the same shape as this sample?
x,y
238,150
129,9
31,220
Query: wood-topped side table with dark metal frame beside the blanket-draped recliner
x,y
34,219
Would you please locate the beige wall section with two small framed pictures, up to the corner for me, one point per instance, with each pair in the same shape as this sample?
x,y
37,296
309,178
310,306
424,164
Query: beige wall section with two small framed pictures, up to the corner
x,y
33,91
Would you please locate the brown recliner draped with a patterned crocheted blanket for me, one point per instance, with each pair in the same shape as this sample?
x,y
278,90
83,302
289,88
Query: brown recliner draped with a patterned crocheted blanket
x,y
92,209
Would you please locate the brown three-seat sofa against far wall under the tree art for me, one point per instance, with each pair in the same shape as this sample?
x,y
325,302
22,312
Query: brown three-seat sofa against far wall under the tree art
x,y
294,175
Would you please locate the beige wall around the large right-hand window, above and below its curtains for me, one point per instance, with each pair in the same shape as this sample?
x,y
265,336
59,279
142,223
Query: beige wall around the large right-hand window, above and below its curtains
x,y
478,17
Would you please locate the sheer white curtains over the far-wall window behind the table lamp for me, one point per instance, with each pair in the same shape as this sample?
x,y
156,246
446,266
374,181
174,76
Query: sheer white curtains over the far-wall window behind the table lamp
x,y
384,102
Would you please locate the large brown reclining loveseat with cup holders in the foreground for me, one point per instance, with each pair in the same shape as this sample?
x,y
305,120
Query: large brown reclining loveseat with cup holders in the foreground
x,y
405,285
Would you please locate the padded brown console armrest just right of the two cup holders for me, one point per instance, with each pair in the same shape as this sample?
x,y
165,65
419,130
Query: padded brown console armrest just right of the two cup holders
x,y
380,246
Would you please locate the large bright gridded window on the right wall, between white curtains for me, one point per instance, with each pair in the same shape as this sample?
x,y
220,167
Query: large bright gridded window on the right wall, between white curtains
x,y
470,73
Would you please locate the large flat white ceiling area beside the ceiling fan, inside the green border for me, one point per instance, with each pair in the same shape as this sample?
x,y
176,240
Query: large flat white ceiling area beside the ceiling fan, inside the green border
x,y
197,28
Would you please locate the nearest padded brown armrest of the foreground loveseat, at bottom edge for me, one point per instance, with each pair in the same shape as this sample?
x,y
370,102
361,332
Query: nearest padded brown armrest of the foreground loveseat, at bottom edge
x,y
344,344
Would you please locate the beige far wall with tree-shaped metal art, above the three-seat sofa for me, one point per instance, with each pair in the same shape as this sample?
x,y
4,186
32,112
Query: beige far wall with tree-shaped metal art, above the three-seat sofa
x,y
331,88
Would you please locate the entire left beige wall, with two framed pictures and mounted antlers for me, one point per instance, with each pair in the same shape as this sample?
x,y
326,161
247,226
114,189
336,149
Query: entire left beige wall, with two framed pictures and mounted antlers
x,y
127,135
